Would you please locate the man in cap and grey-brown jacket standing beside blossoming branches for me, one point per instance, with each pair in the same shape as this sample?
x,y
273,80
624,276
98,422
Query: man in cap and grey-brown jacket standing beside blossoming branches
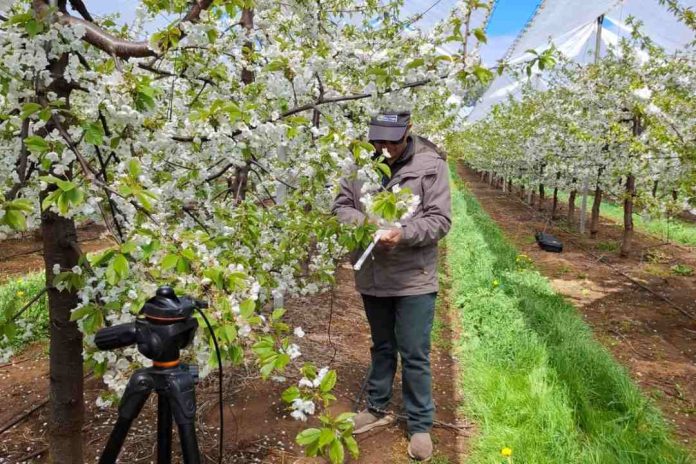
x,y
398,283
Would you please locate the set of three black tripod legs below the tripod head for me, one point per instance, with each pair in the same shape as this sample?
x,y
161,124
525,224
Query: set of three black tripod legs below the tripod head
x,y
175,396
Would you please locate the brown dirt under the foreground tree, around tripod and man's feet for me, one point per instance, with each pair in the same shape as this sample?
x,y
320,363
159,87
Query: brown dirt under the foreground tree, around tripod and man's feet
x,y
257,425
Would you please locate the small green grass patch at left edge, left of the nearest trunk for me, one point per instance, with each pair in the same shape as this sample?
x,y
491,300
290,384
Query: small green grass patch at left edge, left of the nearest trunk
x,y
32,324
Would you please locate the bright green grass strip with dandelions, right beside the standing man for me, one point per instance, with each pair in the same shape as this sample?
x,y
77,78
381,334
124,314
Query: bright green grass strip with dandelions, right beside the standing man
x,y
534,378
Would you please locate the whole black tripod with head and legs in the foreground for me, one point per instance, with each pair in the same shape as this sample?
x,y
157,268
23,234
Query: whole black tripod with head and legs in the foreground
x,y
165,326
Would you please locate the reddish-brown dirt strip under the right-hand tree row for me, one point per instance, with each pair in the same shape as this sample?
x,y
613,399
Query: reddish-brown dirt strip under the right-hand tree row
x,y
648,335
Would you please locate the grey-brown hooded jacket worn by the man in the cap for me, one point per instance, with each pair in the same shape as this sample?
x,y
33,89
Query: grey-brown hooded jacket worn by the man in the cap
x,y
410,268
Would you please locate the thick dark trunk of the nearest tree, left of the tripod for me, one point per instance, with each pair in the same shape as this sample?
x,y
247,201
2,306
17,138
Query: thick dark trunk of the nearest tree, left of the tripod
x,y
65,364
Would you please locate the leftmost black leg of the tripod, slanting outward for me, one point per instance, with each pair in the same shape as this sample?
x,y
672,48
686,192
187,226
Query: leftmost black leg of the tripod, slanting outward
x,y
139,387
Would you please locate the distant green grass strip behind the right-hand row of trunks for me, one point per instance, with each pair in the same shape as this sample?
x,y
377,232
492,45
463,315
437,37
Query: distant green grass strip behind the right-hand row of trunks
x,y
675,230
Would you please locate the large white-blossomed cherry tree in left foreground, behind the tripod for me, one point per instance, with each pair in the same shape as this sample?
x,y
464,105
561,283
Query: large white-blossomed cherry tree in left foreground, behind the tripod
x,y
210,150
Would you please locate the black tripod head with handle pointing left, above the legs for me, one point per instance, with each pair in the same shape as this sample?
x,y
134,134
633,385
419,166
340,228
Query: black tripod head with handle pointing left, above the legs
x,y
165,325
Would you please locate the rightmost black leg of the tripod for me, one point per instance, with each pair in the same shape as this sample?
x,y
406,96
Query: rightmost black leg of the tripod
x,y
182,399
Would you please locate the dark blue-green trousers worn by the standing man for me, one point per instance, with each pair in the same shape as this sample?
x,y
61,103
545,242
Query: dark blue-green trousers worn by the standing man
x,y
402,324
